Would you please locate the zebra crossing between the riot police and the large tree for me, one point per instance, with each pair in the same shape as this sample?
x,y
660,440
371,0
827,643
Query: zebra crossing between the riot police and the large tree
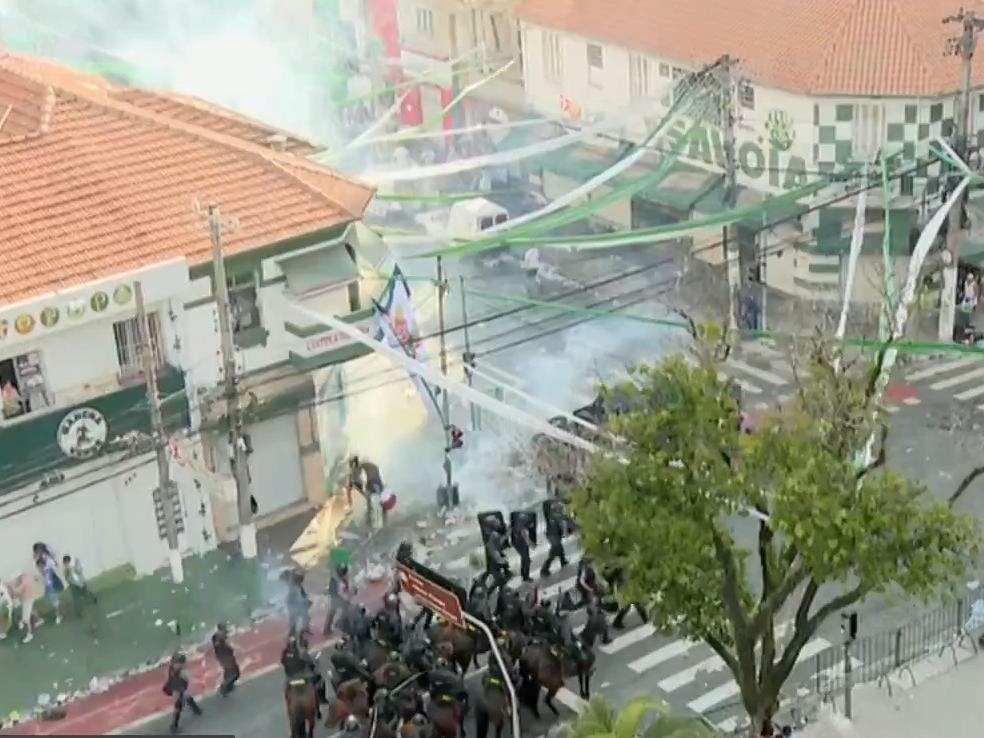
x,y
640,658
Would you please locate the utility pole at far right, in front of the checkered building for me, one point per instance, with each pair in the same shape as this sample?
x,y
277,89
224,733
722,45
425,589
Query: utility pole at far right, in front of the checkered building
x,y
964,46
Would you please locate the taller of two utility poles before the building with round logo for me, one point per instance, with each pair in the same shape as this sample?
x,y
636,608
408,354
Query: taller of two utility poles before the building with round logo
x,y
240,469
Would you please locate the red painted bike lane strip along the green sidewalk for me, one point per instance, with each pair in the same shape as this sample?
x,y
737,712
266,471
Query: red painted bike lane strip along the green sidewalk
x,y
140,696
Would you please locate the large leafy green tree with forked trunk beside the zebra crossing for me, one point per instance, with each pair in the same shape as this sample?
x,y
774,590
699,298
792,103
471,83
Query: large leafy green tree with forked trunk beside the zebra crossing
x,y
724,534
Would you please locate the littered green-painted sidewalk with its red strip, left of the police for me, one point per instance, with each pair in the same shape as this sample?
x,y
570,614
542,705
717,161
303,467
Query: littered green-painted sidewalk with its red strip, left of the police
x,y
104,663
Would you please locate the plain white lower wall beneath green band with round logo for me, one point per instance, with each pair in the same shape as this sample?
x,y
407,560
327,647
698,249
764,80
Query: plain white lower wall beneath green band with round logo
x,y
106,522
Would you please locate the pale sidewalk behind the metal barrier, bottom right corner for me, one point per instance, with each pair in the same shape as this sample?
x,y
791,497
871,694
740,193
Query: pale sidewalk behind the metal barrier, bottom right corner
x,y
942,704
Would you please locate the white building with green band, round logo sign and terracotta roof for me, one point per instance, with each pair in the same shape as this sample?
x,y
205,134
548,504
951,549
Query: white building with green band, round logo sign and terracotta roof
x,y
99,192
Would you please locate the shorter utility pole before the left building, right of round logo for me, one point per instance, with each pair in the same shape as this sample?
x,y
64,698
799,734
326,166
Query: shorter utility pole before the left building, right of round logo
x,y
166,499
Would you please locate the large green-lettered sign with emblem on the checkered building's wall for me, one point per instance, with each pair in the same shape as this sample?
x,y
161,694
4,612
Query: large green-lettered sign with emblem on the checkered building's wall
x,y
763,160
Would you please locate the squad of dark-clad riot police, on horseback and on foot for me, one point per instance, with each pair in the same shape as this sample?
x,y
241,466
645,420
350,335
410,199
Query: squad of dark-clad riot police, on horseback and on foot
x,y
407,660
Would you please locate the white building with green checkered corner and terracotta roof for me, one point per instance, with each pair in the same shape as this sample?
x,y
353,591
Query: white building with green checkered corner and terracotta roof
x,y
823,86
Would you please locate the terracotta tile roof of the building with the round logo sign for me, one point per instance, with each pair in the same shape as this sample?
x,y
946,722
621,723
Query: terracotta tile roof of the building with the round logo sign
x,y
92,185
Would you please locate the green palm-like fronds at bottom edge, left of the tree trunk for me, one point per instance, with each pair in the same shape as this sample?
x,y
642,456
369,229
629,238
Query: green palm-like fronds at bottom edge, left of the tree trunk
x,y
600,719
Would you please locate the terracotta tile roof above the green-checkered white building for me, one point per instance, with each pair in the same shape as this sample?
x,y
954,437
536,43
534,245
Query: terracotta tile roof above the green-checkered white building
x,y
822,47
